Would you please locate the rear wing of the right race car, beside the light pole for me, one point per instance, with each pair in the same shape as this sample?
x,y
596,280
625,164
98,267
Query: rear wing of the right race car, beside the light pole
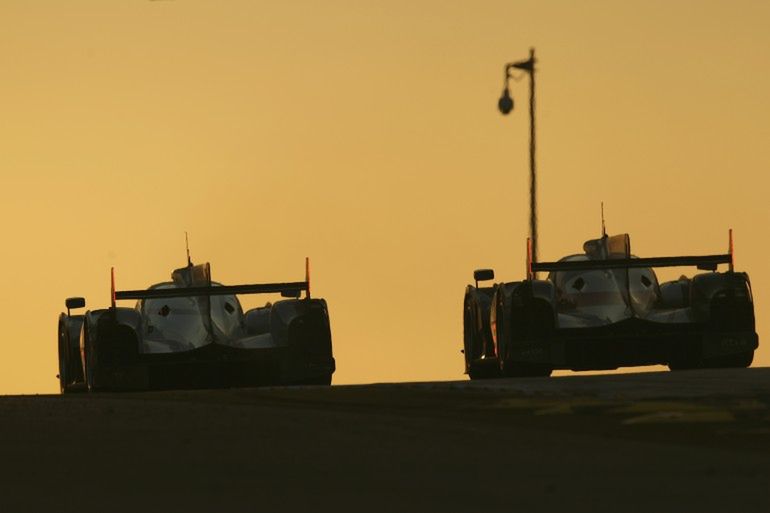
x,y
705,262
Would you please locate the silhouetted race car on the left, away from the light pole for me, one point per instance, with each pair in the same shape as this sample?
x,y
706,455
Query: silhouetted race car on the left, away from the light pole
x,y
192,333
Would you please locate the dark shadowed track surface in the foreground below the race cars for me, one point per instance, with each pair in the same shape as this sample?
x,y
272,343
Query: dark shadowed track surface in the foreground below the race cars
x,y
689,441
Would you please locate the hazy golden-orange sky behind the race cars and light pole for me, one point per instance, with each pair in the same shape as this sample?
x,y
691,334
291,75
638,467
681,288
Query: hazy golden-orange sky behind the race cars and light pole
x,y
365,135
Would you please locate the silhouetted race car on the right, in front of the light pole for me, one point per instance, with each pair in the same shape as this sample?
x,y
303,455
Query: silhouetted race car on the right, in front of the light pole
x,y
605,309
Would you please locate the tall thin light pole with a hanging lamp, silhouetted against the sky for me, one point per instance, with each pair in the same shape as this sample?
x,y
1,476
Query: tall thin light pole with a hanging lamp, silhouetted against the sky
x,y
505,104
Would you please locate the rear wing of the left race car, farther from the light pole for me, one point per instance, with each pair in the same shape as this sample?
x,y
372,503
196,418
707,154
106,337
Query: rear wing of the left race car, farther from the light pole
x,y
289,289
